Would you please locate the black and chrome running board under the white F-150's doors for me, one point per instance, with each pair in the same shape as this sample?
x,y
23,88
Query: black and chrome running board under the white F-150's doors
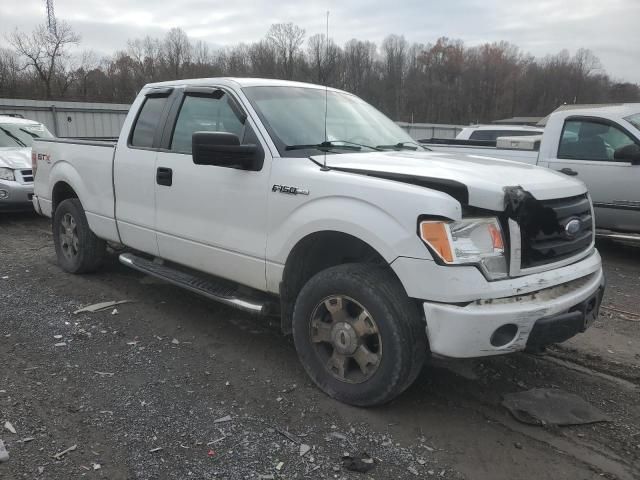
x,y
220,290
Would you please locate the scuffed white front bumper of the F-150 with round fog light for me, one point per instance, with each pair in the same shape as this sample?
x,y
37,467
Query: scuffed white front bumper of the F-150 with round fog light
x,y
470,318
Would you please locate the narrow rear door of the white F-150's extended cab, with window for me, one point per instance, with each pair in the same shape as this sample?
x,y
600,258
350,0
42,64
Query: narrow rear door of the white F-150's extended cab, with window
x,y
134,171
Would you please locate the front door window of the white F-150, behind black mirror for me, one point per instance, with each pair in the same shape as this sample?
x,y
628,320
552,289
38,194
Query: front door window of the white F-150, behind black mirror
x,y
204,114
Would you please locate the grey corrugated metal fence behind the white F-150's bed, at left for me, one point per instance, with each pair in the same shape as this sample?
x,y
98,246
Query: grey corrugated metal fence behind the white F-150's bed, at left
x,y
70,119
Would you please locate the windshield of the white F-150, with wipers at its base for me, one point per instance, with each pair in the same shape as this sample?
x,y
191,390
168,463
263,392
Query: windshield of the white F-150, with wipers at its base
x,y
295,119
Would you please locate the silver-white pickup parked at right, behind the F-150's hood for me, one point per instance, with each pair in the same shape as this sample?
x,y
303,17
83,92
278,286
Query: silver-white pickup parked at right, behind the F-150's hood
x,y
598,145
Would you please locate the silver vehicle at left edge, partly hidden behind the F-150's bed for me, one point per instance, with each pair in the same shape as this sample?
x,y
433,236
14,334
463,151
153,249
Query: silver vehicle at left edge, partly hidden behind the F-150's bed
x,y
16,177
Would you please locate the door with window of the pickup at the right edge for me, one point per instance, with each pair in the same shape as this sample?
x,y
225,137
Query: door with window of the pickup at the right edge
x,y
587,151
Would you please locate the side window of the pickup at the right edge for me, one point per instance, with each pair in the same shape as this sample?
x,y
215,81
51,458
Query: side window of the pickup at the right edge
x,y
591,140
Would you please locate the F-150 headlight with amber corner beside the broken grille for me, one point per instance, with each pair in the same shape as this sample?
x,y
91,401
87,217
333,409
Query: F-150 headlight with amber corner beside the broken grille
x,y
477,241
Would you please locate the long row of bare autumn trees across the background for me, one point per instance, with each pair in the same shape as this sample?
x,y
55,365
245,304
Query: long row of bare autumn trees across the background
x,y
441,82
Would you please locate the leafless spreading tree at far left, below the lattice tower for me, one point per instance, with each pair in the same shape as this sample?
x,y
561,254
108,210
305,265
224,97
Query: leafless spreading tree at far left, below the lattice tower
x,y
45,51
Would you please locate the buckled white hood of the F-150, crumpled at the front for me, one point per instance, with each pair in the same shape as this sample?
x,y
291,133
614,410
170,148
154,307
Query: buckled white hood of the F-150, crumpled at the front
x,y
485,179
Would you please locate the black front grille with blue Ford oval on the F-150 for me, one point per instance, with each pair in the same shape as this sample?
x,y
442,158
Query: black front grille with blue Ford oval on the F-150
x,y
543,228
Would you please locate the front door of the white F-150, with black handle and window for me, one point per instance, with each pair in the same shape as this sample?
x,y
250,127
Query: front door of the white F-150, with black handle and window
x,y
211,218
